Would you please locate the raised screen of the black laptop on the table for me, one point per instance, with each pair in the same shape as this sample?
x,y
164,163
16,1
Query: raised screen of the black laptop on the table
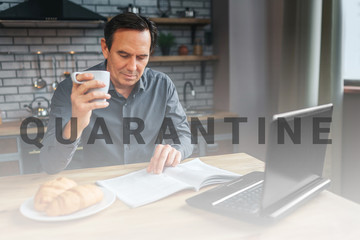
x,y
296,148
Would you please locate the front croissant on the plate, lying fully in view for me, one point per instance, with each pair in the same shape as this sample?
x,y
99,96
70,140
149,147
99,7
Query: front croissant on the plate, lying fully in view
x,y
75,199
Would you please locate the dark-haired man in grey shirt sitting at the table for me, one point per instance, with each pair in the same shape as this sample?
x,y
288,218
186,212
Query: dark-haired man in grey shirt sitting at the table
x,y
111,131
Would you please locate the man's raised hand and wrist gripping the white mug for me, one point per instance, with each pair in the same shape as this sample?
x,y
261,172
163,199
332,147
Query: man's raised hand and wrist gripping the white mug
x,y
82,102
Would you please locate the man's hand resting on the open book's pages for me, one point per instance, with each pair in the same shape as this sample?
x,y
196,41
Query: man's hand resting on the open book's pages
x,y
164,156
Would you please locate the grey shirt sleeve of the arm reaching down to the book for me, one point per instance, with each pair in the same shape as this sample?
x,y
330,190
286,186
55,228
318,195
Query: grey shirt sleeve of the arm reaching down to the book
x,y
175,111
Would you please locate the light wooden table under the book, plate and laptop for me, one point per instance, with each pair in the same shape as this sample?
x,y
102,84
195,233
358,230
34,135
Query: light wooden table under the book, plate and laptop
x,y
328,216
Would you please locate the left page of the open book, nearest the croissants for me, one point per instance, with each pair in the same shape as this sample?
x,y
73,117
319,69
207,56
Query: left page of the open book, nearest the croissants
x,y
140,187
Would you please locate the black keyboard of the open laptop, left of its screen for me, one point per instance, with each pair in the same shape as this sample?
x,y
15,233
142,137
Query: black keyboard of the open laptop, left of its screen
x,y
246,200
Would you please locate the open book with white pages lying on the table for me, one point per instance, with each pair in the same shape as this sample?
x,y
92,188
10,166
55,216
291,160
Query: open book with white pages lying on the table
x,y
139,188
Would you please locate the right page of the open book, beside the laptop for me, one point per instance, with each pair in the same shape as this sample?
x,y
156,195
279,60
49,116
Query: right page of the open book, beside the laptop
x,y
199,174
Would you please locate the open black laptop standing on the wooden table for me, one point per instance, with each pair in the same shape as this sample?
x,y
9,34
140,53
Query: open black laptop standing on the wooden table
x,y
295,155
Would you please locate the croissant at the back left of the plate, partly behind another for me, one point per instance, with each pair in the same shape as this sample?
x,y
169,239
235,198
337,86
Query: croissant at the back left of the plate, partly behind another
x,y
50,190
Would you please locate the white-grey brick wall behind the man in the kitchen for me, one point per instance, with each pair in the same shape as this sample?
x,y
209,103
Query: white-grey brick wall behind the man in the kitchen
x,y
18,58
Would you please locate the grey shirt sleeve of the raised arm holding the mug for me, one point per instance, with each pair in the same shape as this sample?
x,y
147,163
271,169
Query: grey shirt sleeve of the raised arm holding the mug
x,y
55,156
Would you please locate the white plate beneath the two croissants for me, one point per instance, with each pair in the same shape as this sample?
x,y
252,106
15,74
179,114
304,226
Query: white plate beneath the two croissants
x,y
27,209
